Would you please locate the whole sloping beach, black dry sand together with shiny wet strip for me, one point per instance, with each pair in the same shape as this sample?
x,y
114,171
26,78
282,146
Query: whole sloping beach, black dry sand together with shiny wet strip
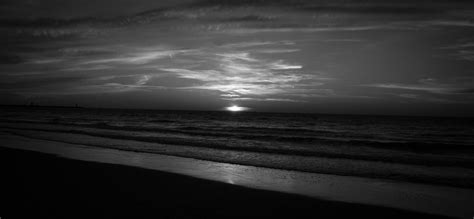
x,y
51,179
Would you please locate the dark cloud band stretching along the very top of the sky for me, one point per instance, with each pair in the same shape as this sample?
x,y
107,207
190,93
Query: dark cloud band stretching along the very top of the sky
x,y
165,11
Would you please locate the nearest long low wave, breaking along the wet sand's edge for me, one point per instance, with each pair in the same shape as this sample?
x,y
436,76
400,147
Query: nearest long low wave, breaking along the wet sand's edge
x,y
453,176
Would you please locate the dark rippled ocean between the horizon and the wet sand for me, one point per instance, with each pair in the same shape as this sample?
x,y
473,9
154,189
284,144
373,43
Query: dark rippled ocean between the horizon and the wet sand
x,y
412,149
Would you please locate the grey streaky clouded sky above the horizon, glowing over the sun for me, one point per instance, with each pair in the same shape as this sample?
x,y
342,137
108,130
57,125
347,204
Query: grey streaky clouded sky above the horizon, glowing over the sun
x,y
309,56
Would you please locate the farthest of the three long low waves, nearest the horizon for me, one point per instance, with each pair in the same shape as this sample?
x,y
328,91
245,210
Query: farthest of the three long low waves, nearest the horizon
x,y
299,135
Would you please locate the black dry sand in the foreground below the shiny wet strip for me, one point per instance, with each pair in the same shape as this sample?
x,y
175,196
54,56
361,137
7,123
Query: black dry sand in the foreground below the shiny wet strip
x,y
37,185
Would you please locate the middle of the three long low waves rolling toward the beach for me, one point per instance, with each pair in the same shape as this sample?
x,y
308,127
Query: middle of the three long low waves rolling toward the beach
x,y
347,151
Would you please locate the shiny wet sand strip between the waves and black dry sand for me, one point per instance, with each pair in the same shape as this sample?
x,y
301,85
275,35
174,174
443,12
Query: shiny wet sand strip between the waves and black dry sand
x,y
449,201
